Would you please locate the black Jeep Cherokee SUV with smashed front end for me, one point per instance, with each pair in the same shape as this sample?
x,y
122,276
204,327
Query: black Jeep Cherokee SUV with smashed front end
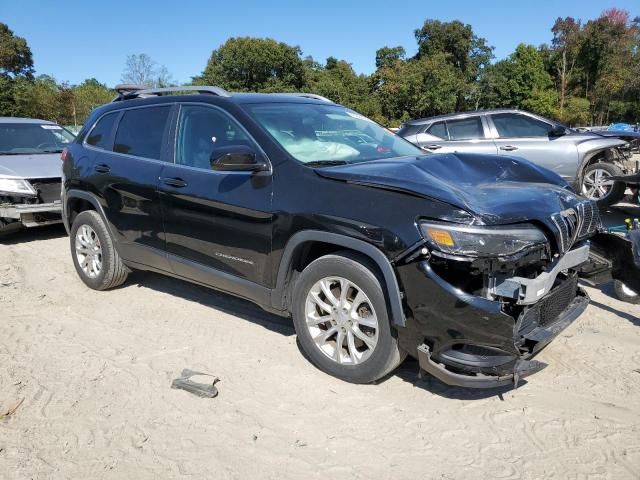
x,y
467,262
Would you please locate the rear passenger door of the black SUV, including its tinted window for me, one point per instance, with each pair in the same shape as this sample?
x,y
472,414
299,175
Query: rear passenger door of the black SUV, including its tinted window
x,y
126,174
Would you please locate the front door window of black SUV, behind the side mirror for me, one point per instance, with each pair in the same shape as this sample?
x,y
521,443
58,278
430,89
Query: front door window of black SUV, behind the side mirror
x,y
204,130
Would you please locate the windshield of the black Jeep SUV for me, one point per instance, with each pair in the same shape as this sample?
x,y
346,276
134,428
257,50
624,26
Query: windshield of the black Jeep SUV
x,y
328,134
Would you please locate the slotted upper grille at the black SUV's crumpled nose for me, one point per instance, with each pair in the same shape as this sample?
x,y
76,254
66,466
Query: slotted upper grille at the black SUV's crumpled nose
x,y
575,224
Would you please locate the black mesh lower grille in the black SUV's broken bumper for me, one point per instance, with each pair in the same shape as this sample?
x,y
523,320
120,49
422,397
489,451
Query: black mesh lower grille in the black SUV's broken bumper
x,y
549,308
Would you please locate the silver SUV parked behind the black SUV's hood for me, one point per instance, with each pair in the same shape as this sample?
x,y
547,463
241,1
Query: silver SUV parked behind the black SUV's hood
x,y
586,160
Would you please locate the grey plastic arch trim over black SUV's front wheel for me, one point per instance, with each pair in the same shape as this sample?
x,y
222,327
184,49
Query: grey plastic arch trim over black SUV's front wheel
x,y
321,241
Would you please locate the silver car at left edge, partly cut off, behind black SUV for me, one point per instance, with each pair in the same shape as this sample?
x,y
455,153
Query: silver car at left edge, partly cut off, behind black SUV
x,y
30,172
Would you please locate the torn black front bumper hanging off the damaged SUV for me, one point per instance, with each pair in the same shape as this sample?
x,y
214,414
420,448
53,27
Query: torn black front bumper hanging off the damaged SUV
x,y
475,342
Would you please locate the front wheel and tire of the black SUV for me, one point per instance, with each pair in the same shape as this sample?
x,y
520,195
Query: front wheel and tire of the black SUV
x,y
340,316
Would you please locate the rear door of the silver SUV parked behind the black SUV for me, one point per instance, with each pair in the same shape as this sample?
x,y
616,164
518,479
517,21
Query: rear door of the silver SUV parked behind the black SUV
x,y
467,134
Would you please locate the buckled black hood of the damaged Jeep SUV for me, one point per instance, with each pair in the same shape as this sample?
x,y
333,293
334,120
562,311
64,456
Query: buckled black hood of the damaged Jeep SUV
x,y
496,189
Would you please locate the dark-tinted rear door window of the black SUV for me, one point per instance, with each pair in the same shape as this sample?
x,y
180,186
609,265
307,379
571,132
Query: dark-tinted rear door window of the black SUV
x,y
141,130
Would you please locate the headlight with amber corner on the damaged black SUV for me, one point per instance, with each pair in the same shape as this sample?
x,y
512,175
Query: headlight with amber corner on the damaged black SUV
x,y
481,241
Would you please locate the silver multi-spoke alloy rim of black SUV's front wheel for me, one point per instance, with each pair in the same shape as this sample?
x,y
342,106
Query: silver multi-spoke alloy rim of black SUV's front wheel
x,y
341,320
